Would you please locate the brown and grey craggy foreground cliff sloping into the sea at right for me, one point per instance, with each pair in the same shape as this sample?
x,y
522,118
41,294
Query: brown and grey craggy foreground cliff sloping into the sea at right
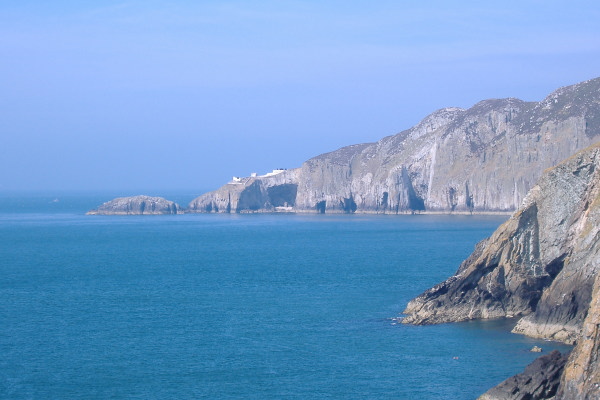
x,y
542,266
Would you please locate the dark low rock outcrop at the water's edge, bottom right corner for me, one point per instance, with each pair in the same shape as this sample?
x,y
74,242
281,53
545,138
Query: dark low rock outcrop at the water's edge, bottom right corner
x,y
540,380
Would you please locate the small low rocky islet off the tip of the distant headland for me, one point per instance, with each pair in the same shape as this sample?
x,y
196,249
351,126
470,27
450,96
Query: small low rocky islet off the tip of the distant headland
x,y
137,205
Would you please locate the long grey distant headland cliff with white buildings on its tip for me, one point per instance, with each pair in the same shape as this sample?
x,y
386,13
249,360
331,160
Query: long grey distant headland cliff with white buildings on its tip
x,y
482,159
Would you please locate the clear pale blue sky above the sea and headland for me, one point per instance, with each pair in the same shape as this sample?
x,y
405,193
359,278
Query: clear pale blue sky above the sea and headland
x,y
170,95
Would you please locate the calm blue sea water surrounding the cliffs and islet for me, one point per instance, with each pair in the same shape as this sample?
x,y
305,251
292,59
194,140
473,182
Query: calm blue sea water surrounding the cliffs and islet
x,y
236,306
